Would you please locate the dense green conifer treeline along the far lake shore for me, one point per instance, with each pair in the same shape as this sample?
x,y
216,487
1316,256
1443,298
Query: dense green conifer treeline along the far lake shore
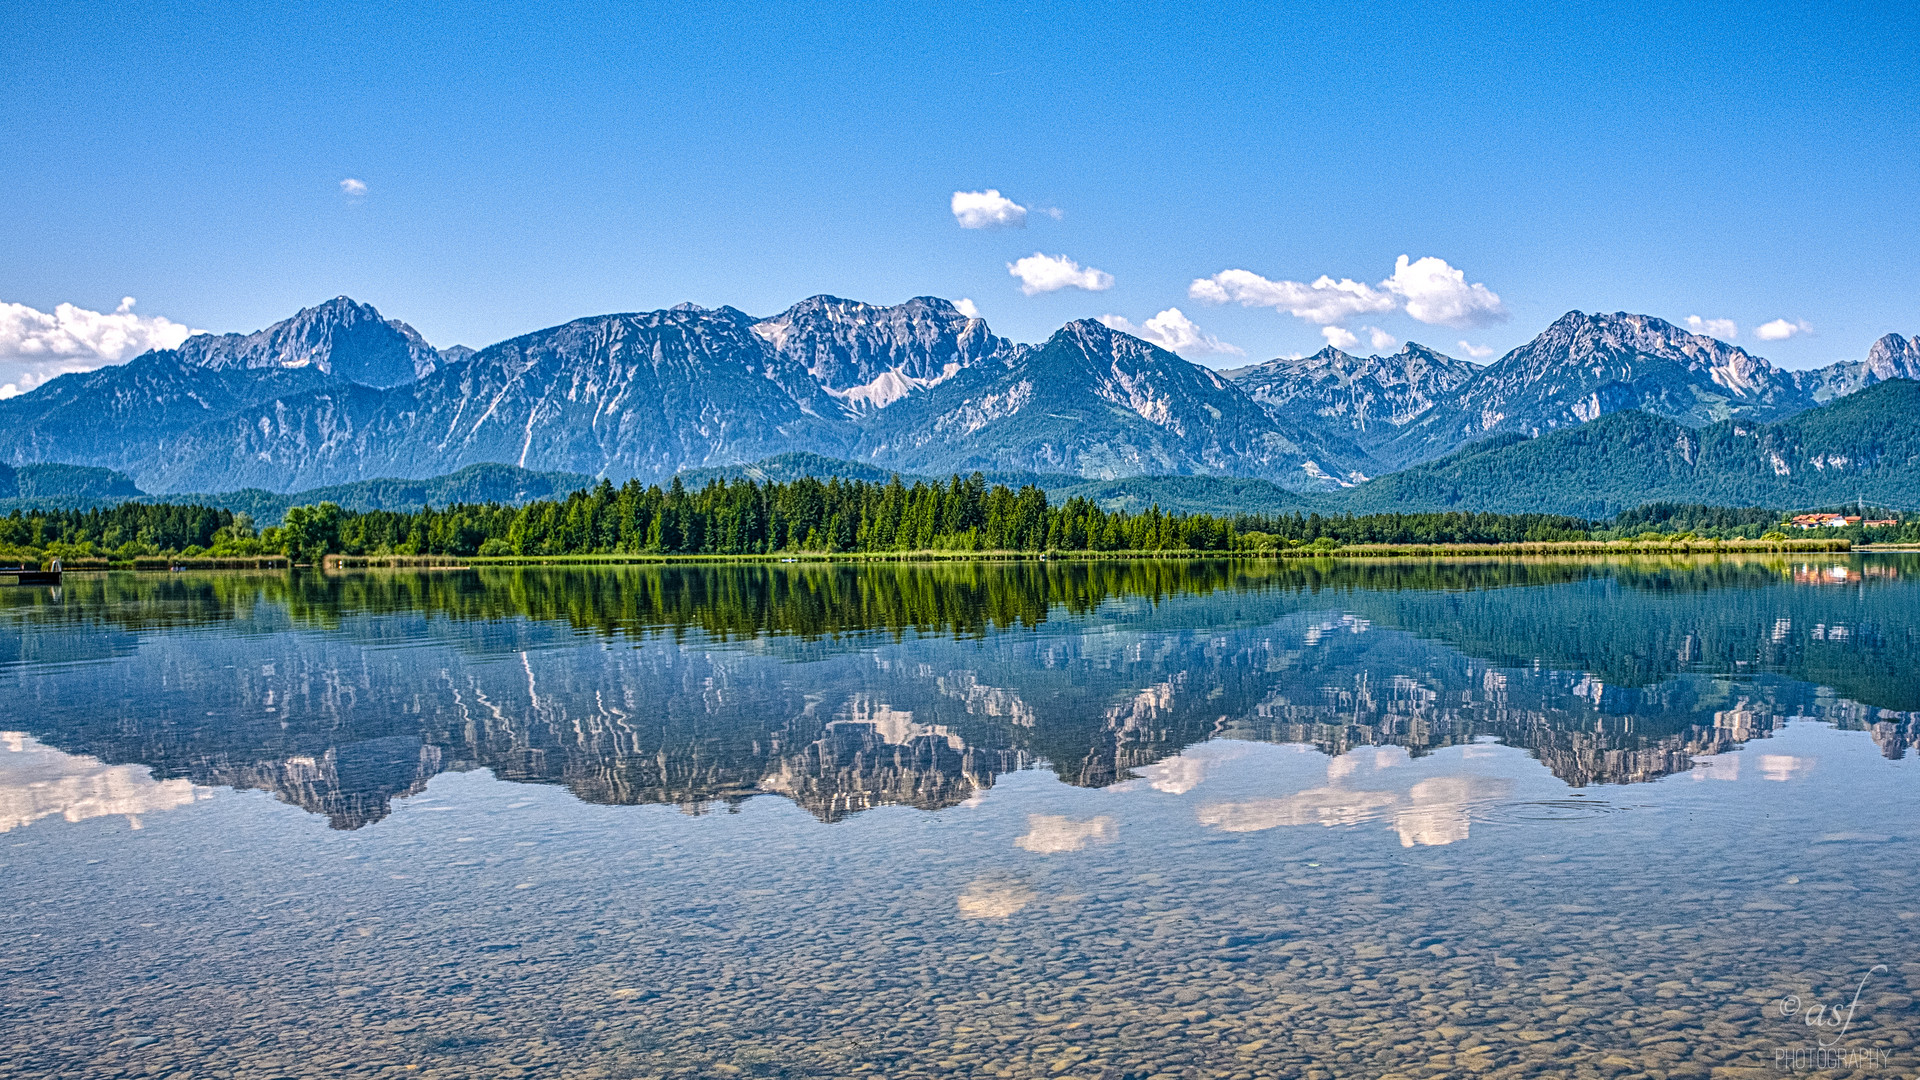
x,y
807,518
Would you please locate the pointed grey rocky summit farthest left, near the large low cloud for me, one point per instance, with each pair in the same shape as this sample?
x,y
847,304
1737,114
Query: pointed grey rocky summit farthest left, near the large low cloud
x,y
343,339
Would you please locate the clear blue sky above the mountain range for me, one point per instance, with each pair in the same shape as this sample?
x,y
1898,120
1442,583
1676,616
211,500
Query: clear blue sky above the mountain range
x,y
531,164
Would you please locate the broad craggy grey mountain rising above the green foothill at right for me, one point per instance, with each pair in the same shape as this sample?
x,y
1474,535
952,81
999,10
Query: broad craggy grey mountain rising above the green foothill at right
x,y
1589,366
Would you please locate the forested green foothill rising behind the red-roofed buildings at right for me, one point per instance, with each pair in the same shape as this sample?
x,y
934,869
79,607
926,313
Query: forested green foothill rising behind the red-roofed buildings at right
x,y
1861,447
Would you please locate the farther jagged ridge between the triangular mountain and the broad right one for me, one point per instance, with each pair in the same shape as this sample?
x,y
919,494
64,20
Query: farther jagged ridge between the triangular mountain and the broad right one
x,y
1368,401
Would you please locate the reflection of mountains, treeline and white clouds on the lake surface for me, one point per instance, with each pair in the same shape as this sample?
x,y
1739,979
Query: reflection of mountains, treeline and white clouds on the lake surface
x,y
852,687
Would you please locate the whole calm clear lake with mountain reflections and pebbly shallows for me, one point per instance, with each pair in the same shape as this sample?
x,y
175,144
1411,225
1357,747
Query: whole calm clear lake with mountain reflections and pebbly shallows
x,y
1136,820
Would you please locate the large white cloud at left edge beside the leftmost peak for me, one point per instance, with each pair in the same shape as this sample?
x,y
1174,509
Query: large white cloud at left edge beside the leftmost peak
x,y
37,345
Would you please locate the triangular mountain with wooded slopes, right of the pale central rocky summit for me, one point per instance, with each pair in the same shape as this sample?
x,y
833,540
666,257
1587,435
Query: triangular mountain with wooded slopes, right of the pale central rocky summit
x,y
1101,405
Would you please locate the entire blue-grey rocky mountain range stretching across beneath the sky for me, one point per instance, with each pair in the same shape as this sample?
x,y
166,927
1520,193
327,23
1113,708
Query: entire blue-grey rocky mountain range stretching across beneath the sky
x,y
341,395
